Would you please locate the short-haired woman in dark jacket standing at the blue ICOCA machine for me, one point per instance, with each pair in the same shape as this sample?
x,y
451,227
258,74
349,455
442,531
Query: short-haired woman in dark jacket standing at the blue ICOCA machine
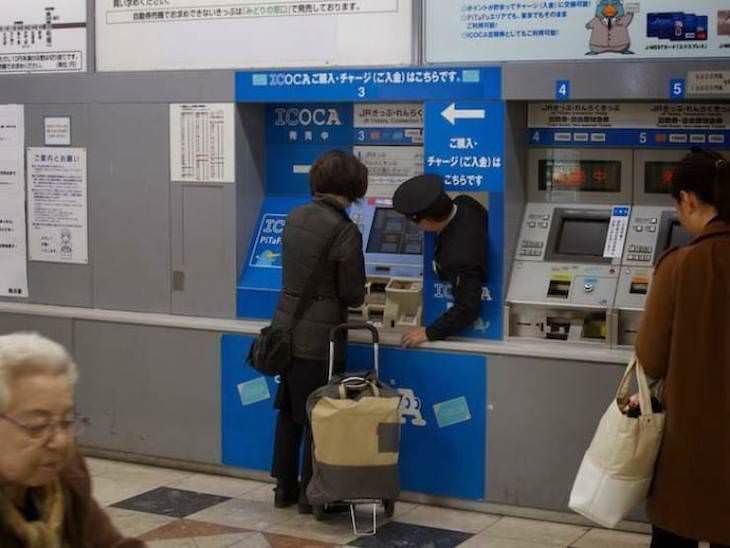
x,y
336,180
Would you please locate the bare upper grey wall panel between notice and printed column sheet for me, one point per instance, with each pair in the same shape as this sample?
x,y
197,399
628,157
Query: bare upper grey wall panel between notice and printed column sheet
x,y
129,193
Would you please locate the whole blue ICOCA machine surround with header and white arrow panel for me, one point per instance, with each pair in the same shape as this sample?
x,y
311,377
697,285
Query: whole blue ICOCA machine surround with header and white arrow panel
x,y
399,122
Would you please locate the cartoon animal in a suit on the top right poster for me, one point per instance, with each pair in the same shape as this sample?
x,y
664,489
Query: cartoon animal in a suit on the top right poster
x,y
610,28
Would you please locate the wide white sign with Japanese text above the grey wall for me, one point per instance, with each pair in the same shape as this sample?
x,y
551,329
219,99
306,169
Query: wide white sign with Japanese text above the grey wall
x,y
238,34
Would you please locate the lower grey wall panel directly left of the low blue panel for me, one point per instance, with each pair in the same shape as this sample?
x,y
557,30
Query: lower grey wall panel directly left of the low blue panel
x,y
151,391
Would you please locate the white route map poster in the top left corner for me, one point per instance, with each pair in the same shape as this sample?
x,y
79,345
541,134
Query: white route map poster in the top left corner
x,y
42,36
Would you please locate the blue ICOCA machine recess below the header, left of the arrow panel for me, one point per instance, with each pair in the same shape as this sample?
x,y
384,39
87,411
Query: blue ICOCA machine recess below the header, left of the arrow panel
x,y
388,139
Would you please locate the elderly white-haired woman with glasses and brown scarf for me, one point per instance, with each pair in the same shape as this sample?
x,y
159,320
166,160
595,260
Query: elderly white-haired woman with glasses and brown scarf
x,y
45,489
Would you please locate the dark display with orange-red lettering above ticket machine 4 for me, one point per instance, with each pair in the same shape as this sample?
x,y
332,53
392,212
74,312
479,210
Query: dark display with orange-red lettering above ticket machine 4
x,y
582,175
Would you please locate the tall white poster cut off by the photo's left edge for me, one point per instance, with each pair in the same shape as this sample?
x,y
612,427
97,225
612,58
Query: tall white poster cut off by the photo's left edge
x,y
13,253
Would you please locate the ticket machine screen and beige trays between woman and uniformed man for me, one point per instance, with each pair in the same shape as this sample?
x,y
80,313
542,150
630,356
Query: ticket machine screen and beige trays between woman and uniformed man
x,y
393,248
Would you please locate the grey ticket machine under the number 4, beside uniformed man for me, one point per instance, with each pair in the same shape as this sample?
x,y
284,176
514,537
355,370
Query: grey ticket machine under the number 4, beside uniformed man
x,y
568,256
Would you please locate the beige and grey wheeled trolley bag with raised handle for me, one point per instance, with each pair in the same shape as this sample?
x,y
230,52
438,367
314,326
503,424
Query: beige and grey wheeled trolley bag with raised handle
x,y
355,422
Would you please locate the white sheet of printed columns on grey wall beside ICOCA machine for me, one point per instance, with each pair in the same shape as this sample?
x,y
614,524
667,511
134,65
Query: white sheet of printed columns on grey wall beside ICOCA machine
x,y
202,143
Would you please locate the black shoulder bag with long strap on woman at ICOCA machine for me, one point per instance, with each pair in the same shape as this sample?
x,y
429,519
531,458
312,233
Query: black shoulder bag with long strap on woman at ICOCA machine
x,y
271,351
